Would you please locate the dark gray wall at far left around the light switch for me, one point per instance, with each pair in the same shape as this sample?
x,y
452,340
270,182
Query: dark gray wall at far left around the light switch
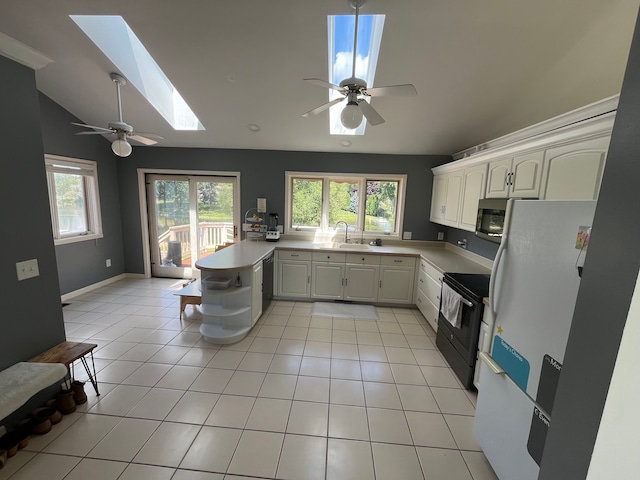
x,y
32,313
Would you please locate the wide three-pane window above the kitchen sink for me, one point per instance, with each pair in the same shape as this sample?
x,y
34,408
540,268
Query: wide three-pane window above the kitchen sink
x,y
373,203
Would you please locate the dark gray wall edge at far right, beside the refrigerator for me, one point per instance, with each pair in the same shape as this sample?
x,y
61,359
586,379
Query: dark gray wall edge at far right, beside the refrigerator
x,y
609,277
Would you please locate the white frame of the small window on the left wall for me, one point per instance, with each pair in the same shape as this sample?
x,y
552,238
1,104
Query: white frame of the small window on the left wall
x,y
89,171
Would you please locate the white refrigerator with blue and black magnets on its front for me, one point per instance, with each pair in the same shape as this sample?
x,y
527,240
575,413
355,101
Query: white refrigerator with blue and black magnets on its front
x,y
533,291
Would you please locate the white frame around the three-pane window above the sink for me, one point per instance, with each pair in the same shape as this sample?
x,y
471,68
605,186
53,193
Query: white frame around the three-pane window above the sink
x,y
361,179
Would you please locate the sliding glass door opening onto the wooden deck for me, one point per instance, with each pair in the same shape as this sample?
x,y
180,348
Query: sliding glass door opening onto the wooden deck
x,y
189,217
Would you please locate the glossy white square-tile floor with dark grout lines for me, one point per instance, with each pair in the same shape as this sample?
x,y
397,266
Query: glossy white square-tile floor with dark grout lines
x,y
300,398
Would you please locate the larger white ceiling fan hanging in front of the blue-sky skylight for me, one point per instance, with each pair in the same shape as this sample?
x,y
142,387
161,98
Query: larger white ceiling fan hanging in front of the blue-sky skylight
x,y
354,91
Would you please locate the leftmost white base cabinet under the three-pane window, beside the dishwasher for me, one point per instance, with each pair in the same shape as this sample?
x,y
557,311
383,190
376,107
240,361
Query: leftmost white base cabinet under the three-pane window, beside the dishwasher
x,y
293,273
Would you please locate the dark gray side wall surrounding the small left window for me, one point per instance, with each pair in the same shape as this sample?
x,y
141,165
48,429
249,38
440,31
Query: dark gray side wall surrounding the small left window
x,y
84,263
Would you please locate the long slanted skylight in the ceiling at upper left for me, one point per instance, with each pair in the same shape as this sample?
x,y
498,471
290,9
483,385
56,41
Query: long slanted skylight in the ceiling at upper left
x,y
117,41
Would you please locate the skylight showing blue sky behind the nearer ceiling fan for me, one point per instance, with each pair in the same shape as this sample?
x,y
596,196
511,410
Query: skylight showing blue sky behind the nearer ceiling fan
x,y
341,29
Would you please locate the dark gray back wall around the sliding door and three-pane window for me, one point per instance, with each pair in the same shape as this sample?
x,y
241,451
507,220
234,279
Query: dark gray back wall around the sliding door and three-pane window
x,y
263,175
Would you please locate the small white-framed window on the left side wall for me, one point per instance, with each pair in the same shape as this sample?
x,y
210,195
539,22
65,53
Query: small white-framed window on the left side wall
x,y
74,199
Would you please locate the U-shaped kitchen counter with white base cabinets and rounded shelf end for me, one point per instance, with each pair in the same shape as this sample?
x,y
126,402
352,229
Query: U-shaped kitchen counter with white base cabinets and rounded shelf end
x,y
232,278
